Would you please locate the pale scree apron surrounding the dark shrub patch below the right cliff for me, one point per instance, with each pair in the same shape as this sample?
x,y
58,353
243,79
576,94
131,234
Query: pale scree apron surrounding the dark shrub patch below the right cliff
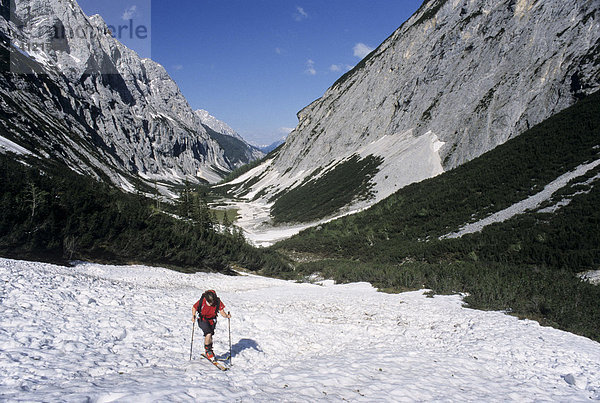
x,y
406,159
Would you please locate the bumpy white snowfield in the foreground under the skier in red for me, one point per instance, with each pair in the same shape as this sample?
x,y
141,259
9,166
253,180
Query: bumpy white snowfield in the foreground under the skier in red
x,y
122,333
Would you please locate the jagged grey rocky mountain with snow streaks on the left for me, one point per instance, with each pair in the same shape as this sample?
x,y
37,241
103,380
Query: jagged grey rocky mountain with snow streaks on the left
x,y
71,92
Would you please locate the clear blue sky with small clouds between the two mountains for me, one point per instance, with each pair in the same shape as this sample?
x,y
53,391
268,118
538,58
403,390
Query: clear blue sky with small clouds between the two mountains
x,y
255,63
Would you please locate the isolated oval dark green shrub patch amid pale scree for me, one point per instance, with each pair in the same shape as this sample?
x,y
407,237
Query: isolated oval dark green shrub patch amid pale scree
x,y
320,197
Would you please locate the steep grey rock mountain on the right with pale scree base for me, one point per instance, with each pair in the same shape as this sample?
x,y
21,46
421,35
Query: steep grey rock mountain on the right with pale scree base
x,y
457,79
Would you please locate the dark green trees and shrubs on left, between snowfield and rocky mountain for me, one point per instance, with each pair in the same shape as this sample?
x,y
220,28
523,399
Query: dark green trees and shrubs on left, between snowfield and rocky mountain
x,y
50,213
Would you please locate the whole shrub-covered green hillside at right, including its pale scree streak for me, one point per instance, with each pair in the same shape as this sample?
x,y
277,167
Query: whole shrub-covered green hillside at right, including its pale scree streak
x,y
515,229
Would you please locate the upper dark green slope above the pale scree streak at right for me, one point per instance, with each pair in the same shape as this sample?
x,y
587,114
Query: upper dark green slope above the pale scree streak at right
x,y
434,207
